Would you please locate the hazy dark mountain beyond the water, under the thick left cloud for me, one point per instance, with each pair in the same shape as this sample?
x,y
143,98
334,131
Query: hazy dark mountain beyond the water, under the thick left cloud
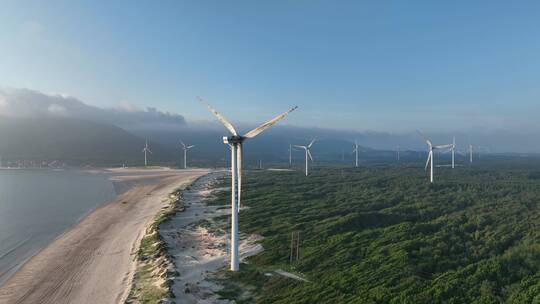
x,y
74,141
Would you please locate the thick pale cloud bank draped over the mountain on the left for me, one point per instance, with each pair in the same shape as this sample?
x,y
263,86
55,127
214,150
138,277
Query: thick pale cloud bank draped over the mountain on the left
x,y
25,103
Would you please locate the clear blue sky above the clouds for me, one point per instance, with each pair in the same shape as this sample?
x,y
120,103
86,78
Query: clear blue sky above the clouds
x,y
378,65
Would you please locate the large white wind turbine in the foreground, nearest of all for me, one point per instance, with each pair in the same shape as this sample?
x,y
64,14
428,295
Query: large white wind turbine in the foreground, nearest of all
x,y
235,143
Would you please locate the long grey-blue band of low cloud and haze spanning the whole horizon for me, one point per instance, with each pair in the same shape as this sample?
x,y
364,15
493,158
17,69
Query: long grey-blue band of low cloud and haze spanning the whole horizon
x,y
167,128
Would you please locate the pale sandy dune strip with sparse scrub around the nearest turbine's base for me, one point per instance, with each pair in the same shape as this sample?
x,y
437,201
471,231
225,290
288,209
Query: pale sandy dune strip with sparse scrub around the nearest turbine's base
x,y
198,253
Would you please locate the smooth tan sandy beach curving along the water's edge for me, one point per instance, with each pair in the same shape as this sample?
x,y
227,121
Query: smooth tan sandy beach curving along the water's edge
x,y
93,262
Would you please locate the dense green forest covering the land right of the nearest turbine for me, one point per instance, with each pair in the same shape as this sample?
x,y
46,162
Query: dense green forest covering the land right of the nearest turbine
x,y
382,234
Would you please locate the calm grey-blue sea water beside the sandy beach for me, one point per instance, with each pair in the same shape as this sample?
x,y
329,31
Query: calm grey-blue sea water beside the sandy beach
x,y
38,205
